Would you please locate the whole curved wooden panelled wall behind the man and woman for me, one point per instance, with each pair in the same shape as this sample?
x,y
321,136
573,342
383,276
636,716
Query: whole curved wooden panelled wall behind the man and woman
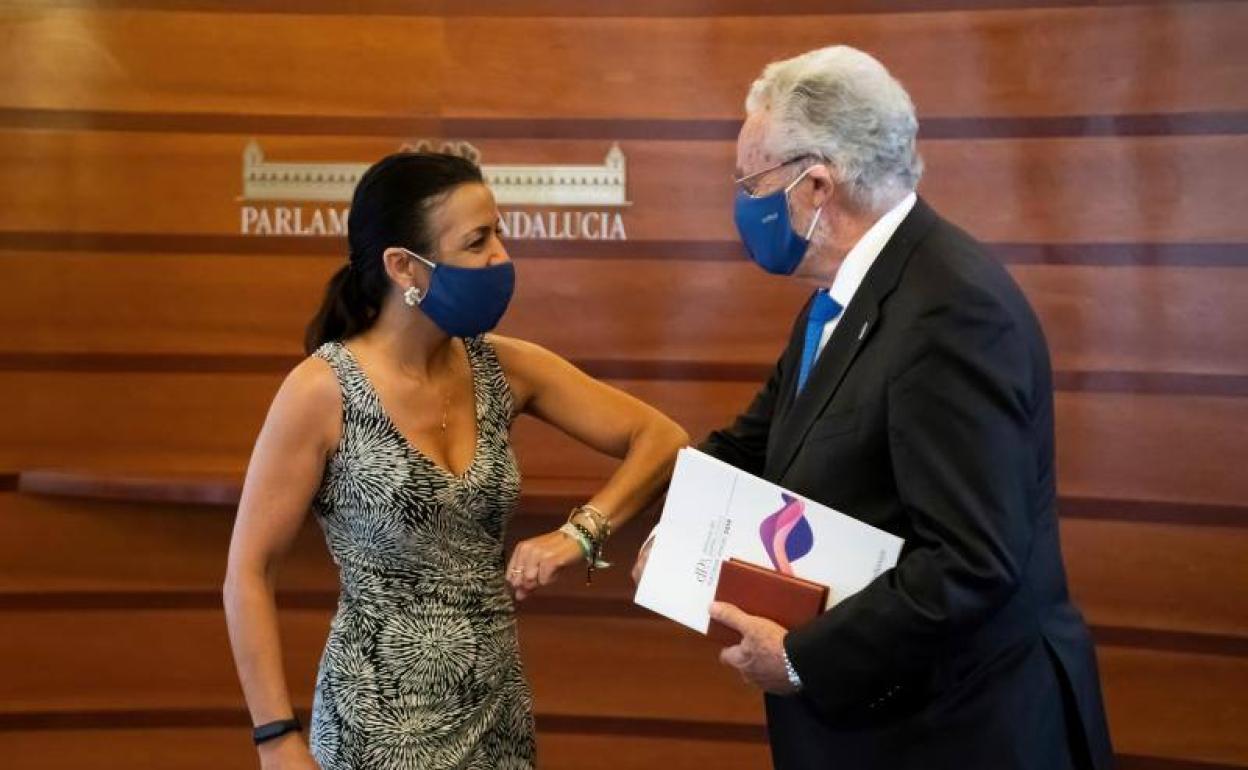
x,y
1109,142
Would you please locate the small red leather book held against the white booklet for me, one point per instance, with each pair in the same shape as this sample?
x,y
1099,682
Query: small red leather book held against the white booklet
x,y
766,593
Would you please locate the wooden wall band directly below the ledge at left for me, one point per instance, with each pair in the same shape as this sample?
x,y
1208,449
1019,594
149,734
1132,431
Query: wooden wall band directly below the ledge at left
x,y
1123,575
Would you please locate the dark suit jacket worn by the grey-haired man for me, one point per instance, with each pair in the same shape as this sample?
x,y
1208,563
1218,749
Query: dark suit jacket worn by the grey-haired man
x,y
930,415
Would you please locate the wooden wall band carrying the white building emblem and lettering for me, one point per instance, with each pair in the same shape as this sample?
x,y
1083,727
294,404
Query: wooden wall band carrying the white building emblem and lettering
x,y
1025,190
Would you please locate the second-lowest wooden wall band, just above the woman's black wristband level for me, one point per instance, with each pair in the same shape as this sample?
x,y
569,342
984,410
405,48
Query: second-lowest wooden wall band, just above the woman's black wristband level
x,y
660,672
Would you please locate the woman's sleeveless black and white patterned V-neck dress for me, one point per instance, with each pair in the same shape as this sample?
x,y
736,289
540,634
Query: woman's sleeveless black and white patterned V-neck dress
x,y
421,671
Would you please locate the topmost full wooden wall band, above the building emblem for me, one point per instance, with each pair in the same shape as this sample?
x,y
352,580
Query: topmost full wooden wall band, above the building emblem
x,y
1093,61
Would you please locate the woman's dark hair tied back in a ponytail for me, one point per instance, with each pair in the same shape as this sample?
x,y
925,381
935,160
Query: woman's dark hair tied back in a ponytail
x,y
391,208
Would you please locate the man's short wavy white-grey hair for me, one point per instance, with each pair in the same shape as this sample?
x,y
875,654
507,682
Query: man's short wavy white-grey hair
x,y
844,107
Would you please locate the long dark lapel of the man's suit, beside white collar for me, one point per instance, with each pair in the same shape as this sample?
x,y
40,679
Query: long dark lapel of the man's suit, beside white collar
x,y
852,335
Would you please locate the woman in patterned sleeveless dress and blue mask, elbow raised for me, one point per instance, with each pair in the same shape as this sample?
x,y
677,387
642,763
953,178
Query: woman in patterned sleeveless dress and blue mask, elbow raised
x,y
396,434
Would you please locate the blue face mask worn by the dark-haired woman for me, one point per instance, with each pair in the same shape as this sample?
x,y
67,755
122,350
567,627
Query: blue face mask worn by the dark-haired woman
x,y
467,301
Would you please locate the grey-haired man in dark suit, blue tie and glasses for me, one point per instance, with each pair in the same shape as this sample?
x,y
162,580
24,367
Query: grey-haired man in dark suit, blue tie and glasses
x,y
915,395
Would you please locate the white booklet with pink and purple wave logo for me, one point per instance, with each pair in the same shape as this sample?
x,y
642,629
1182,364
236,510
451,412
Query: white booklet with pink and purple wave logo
x,y
716,512
